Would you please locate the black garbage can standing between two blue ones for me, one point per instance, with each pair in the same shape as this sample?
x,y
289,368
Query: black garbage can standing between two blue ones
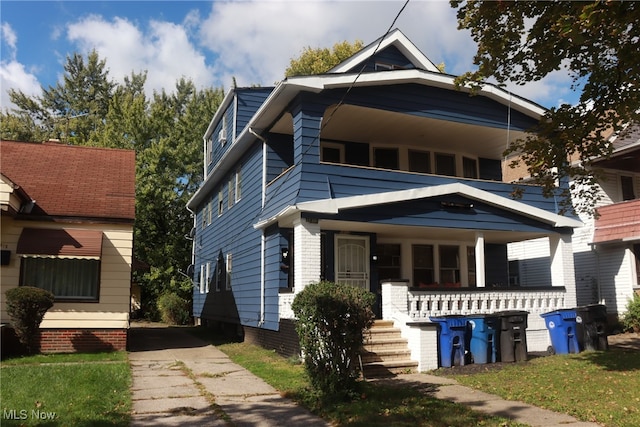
x,y
513,335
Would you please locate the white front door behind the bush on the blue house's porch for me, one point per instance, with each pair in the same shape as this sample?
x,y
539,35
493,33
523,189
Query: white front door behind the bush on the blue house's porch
x,y
352,260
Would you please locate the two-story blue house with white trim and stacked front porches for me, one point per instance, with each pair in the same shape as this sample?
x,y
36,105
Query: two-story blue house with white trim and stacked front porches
x,y
380,174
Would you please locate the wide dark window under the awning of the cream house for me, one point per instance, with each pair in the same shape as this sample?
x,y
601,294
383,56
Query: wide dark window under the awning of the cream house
x,y
66,278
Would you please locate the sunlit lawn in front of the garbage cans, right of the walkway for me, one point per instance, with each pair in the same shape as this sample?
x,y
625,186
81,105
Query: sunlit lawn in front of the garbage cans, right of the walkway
x,y
602,387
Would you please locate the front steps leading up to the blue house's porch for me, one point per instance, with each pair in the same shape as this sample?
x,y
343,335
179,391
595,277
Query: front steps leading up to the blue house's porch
x,y
385,352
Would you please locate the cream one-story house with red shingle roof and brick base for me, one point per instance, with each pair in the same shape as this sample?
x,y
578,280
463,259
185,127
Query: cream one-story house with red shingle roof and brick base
x,y
67,226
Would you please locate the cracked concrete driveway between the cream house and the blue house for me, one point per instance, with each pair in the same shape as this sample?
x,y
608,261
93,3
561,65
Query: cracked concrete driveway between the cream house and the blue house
x,y
180,380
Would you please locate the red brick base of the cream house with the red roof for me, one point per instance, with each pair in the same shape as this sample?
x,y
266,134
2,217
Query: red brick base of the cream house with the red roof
x,y
82,340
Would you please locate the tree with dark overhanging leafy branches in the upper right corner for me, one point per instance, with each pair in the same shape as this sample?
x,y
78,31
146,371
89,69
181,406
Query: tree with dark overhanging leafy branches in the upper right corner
x,y
597,44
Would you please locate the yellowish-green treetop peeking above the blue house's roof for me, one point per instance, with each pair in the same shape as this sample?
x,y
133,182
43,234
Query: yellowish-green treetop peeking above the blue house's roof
x,y
320,60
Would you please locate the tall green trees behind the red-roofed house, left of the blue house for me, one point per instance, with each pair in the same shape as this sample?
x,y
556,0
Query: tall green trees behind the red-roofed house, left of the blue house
x,y
86,108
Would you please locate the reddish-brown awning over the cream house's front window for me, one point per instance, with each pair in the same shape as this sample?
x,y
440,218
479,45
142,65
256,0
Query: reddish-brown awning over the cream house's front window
x,y
69,243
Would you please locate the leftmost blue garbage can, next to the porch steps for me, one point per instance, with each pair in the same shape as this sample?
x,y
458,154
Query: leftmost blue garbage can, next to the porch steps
x,y
452,339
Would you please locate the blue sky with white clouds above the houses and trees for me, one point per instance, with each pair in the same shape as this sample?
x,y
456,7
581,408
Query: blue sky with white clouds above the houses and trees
x,y
213,42
